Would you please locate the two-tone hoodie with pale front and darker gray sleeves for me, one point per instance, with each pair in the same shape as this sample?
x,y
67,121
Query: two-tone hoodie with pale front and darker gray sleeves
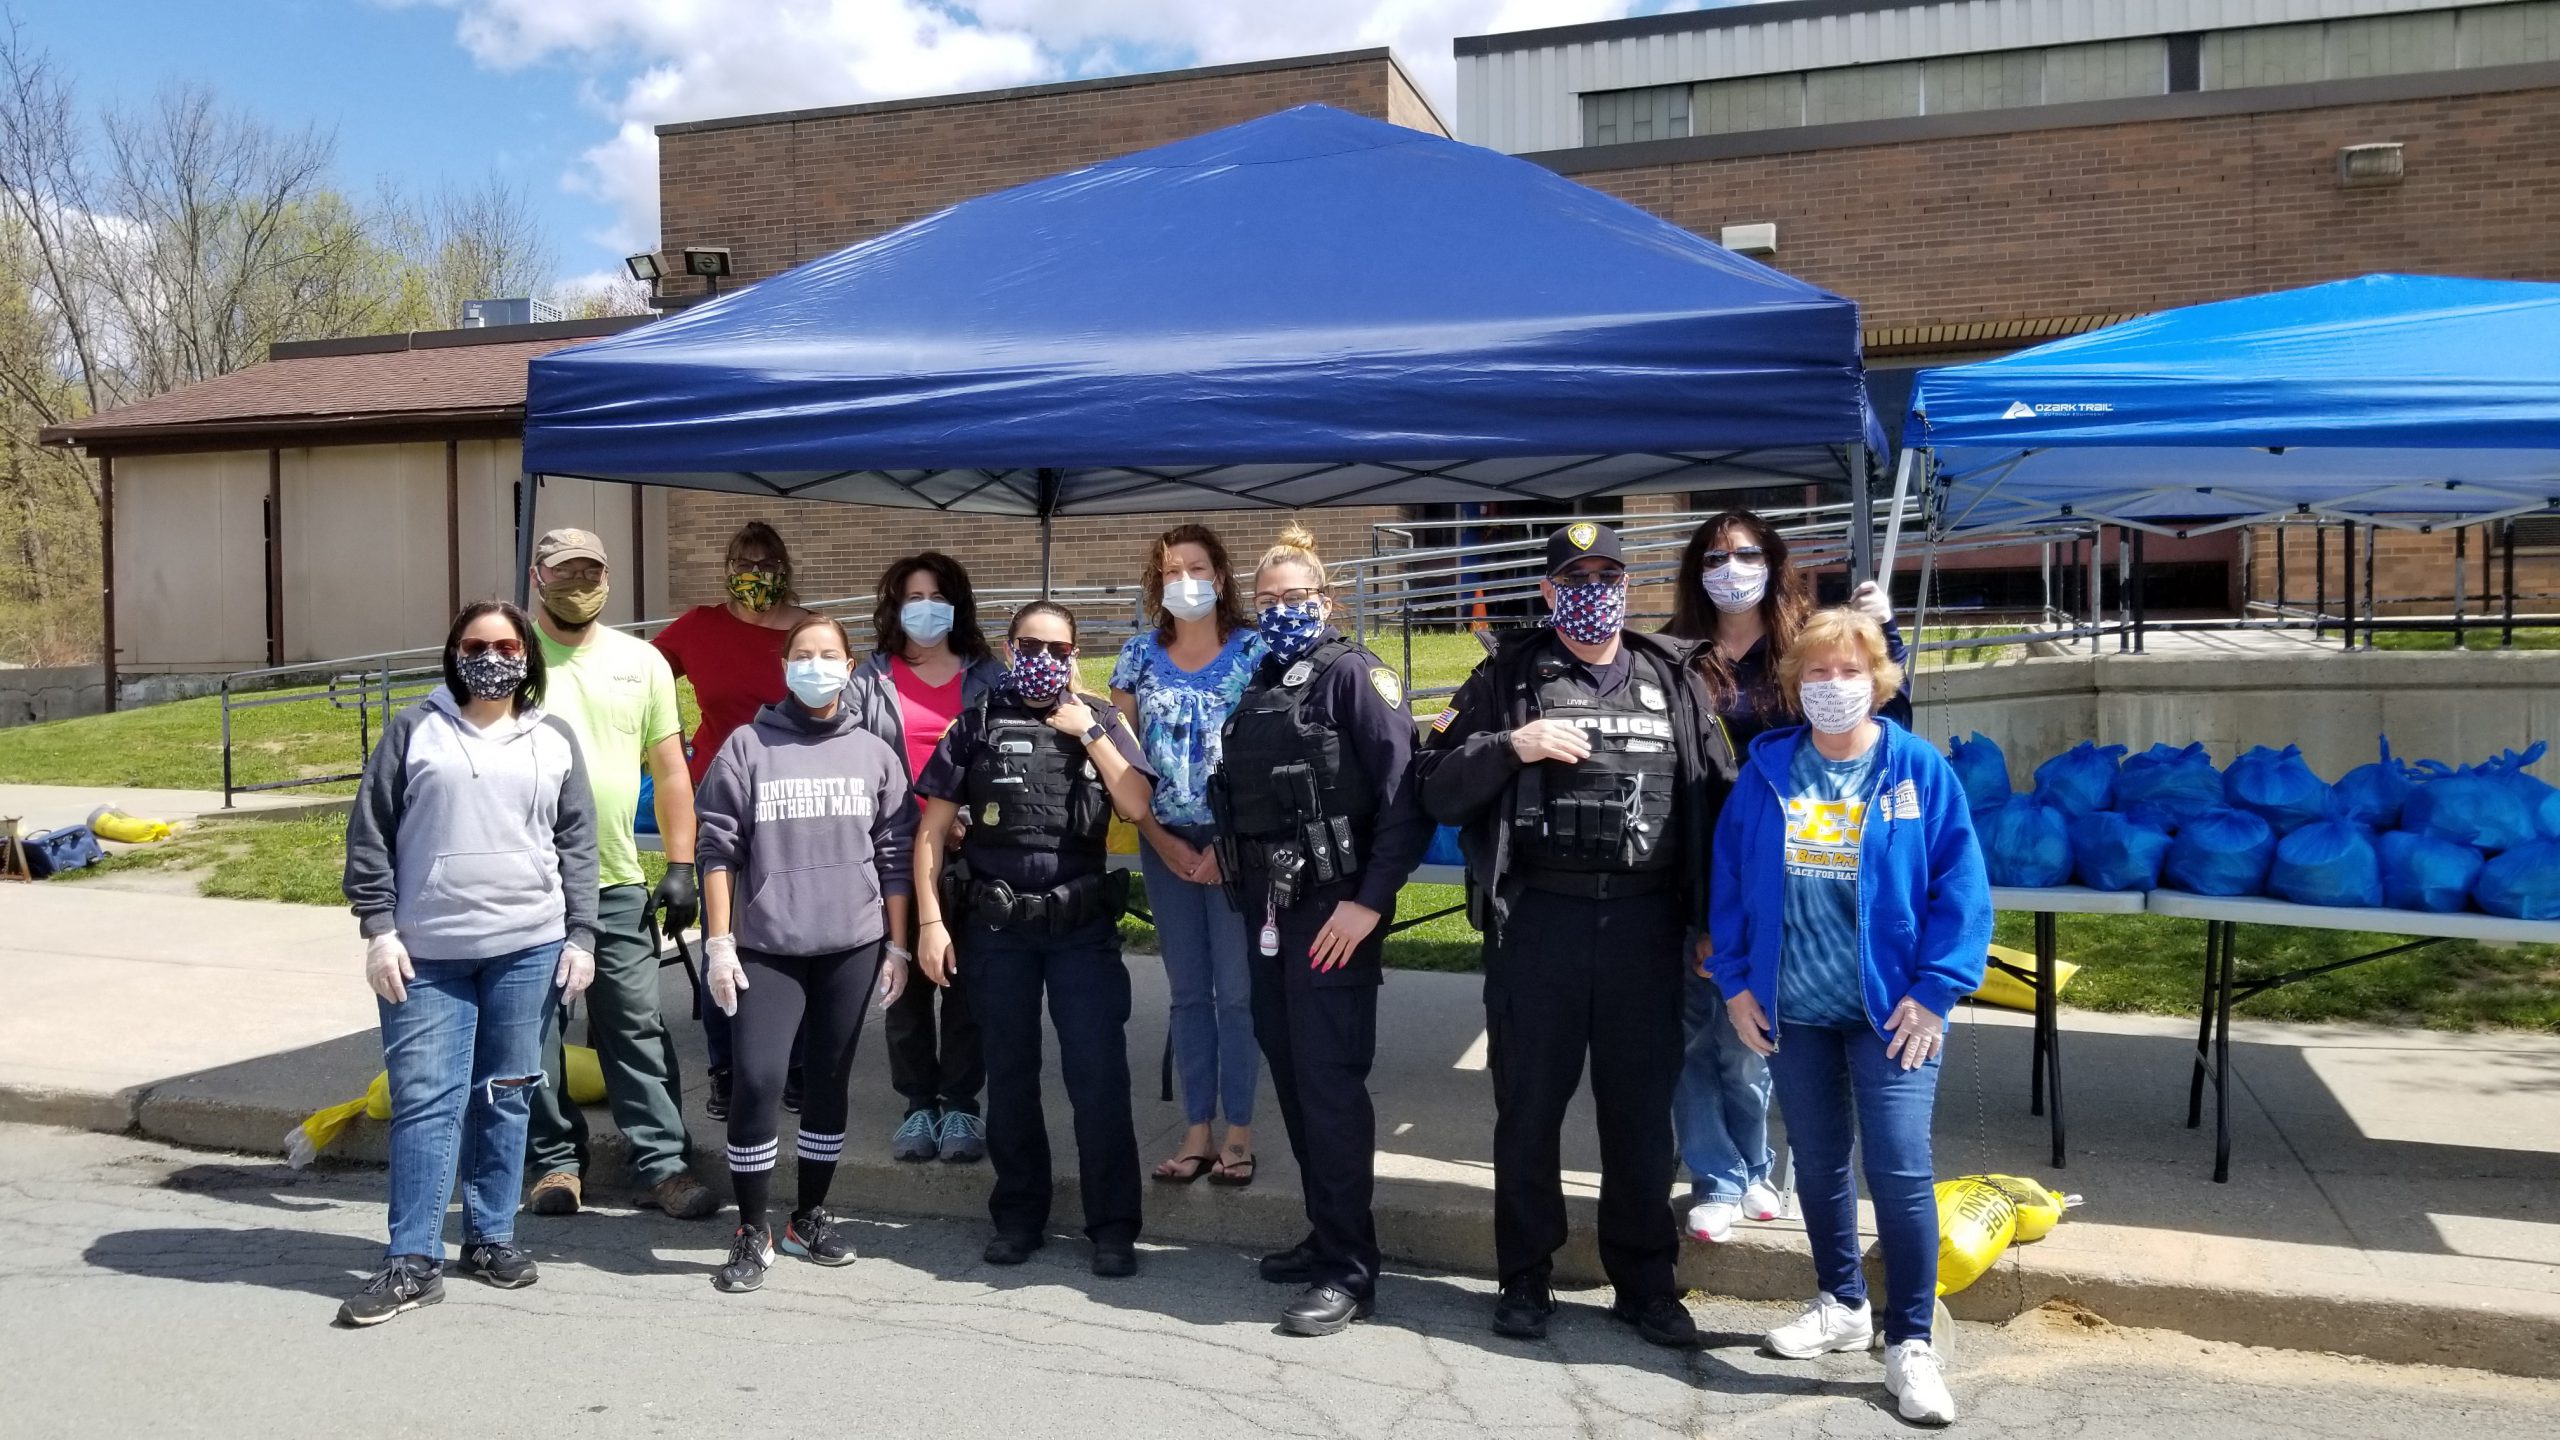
x,y
472,842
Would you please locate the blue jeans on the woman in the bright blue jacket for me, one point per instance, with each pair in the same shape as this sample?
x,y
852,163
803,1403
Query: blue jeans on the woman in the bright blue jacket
x,y
1839,1090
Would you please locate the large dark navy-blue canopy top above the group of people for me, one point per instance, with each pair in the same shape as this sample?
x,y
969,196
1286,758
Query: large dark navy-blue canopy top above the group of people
x,y
1309,309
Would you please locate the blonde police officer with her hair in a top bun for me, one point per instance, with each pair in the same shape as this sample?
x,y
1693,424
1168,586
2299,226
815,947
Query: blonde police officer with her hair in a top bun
x,y
1320,834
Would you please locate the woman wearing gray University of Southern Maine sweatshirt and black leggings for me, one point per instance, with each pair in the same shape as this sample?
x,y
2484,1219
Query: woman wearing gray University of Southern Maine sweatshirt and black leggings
x,y
805,883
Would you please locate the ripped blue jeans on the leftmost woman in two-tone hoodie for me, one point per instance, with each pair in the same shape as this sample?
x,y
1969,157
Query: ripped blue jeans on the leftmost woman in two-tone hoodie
x,y
465,1054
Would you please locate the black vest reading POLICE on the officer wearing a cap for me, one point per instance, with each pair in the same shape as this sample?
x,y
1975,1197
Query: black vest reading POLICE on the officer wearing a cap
x,y
1614,811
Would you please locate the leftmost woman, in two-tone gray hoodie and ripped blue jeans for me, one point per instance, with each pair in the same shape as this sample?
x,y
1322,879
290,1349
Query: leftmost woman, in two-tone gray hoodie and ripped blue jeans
x,y
472,870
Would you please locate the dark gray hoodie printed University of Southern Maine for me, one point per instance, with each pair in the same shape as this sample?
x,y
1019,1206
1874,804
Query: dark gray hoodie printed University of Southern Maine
x,y
815,826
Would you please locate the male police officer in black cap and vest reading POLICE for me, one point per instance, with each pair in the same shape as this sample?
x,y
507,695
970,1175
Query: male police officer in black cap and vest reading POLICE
x,y
1586,773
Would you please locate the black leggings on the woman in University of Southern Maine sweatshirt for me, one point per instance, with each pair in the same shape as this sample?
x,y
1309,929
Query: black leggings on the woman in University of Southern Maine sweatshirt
x,y
833,993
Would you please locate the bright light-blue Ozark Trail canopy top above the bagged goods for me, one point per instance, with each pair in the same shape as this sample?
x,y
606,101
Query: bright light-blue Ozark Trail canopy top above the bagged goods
x,y
2395,398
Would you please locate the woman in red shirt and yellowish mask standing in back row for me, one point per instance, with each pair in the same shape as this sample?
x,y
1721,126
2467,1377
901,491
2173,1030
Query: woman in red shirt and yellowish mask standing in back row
x,y
733,655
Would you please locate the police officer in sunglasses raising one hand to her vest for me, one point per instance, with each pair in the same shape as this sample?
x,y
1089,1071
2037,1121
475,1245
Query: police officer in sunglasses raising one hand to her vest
x,y
1041,775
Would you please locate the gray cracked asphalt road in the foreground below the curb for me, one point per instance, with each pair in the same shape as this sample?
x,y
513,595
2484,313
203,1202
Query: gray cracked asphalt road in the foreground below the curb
x,y
150,1290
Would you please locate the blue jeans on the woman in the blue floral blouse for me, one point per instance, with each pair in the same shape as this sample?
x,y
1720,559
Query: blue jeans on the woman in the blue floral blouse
x,y
1207,967
